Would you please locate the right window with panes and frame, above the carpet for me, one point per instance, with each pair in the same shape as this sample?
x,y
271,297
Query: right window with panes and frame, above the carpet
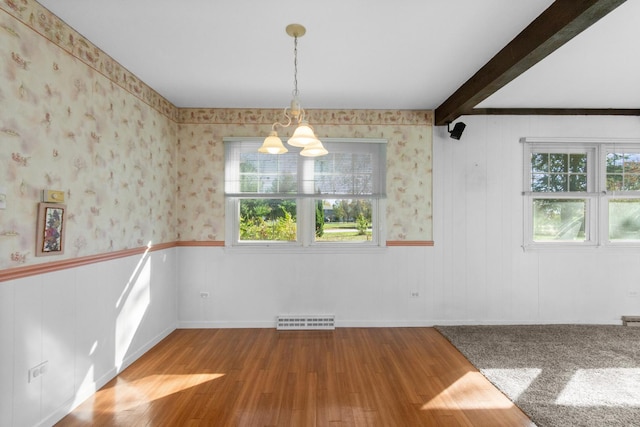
x,y
581,193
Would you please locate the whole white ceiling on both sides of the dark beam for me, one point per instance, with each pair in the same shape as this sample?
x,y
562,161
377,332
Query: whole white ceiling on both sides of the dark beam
x,y
370,54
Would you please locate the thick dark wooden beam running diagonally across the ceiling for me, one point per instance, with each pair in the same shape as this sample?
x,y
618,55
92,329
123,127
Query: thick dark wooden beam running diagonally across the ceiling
x,y
558,24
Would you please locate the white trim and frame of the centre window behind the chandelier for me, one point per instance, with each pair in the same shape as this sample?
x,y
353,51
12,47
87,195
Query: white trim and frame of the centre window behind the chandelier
x,y
306,227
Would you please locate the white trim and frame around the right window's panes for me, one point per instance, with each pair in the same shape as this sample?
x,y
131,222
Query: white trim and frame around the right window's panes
x,y
597,196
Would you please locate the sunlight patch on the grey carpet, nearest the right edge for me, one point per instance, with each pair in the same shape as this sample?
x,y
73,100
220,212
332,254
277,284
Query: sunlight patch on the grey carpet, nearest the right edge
x,y
609,387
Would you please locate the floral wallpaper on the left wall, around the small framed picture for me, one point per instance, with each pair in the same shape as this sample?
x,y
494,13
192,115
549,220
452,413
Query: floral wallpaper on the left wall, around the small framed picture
x,y
66,126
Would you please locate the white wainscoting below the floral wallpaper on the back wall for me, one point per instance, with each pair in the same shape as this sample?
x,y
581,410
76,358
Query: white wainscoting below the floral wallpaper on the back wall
x,y
250,289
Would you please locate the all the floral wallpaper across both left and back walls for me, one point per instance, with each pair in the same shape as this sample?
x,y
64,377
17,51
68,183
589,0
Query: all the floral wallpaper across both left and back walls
x,y
134,168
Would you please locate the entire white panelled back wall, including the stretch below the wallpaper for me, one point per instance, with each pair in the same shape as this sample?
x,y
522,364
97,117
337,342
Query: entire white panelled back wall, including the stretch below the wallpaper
x,y
477,272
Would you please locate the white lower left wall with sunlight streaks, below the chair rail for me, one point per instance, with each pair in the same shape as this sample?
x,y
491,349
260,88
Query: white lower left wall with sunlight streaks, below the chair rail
x,y
88,323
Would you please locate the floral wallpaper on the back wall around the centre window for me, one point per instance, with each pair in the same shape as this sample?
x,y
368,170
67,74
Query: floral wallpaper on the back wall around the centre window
x,y
409,167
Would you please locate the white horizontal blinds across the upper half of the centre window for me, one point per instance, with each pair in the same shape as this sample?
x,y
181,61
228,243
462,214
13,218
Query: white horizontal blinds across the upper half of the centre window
x,y
352,169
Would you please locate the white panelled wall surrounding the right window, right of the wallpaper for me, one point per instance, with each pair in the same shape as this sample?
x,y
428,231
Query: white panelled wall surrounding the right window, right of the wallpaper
x,y
483,275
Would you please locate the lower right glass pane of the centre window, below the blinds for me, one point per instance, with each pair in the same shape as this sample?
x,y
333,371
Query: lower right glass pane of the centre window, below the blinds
x,y
345,220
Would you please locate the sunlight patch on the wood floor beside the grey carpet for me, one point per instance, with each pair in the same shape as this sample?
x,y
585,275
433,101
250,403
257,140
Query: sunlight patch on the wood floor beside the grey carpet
x,y
466,394
